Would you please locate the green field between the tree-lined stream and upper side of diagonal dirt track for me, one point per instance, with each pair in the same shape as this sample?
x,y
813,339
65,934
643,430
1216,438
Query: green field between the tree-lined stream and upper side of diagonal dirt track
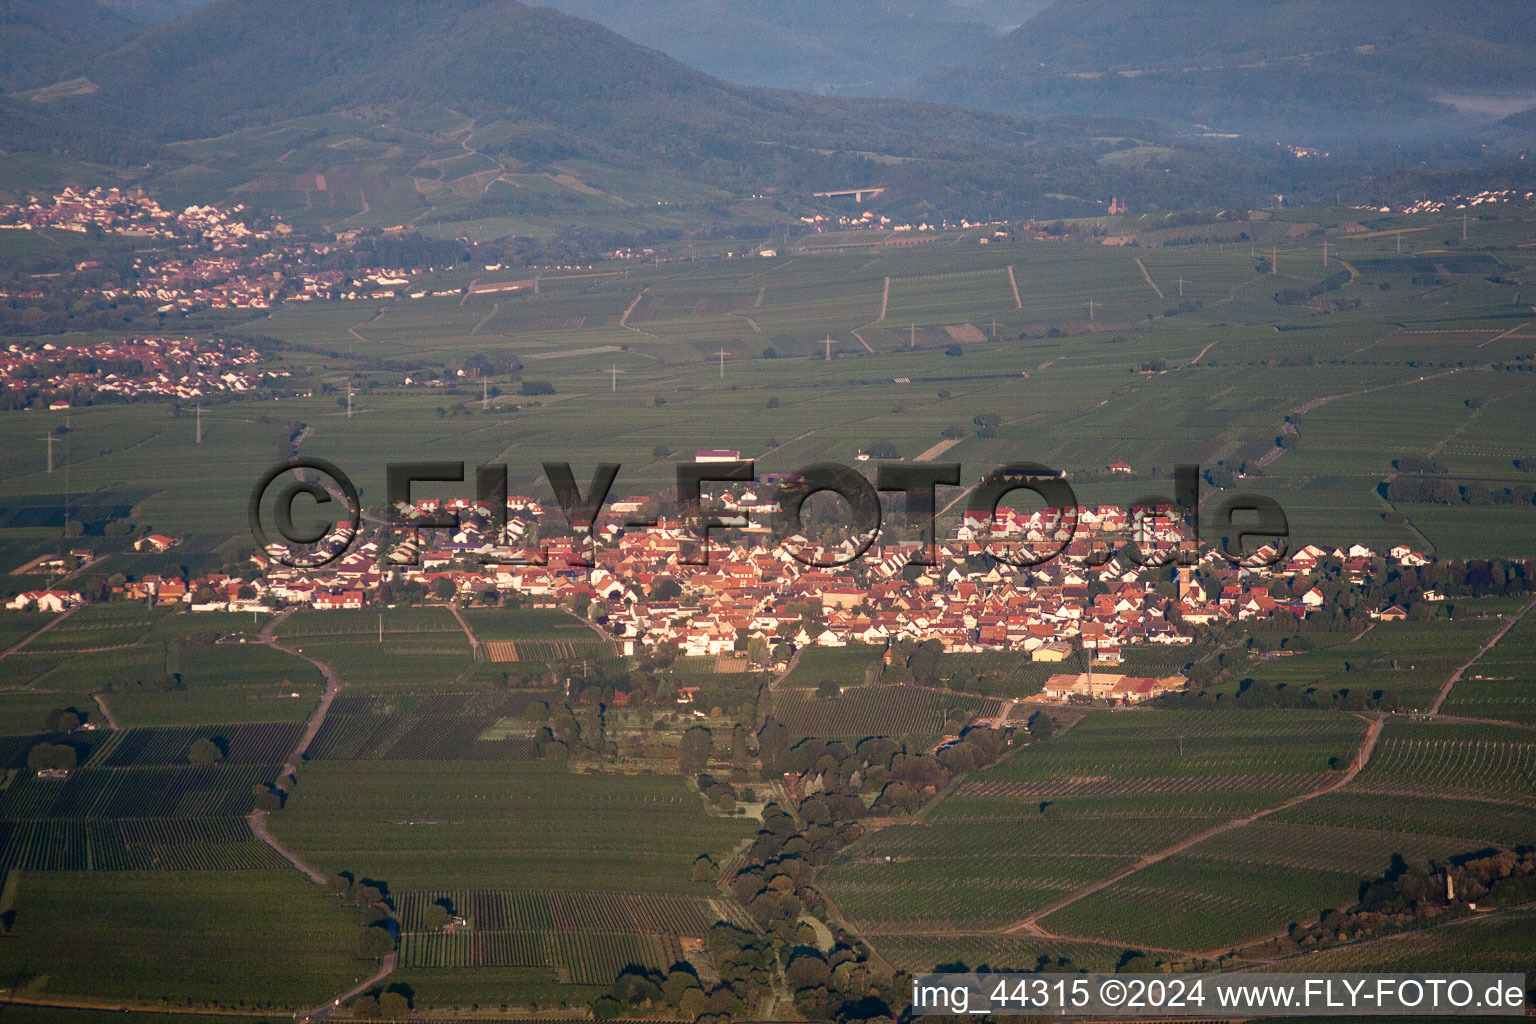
x,y
1064,814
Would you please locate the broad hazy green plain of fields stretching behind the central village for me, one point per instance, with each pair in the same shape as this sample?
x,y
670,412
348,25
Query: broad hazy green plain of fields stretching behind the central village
x,y
1400,374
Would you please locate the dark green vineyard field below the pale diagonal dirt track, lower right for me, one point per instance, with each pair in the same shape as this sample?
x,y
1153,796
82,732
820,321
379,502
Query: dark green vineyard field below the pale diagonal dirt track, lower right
x,y
1431,791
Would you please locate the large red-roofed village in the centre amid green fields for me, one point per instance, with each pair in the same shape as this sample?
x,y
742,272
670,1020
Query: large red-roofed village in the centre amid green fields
x,y
755,593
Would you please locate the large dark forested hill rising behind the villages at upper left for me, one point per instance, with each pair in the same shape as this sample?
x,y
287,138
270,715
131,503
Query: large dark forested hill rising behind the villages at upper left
x,y
457,111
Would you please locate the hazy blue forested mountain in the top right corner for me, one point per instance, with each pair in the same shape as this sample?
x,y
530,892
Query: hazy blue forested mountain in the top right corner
x,y
1293,70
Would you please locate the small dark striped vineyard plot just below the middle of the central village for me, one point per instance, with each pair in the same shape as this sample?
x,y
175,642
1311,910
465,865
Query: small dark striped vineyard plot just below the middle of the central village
x,y
896,712
